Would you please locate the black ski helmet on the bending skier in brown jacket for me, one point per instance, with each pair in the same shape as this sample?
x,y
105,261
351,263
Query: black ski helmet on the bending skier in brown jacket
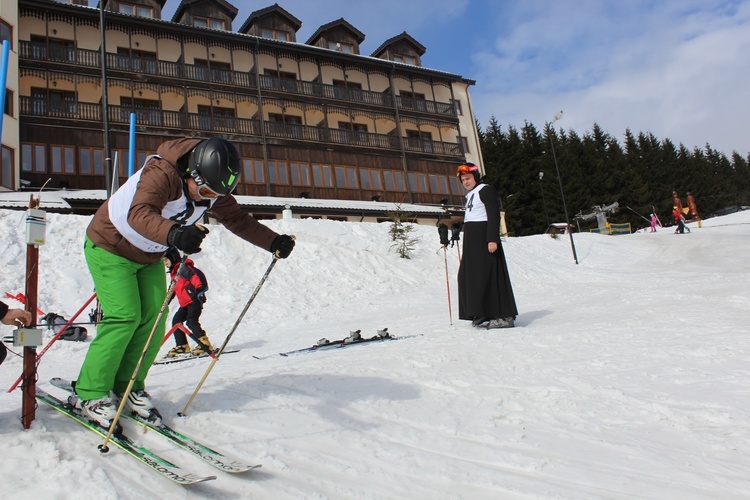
x,y
215,162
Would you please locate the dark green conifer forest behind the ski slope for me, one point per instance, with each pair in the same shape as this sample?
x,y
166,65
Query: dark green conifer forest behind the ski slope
x,y
639,175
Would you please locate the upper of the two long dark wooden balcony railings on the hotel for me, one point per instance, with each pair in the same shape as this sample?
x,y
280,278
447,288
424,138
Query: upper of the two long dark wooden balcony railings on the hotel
x,y
136,64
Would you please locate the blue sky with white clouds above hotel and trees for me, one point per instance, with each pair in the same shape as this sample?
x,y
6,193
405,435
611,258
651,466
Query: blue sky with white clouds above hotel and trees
x,y
676,68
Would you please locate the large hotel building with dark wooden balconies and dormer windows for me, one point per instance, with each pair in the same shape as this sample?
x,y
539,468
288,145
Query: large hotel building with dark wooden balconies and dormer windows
x,y
312,120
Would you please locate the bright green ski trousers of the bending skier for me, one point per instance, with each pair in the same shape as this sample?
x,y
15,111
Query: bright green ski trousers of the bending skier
x,y
131,296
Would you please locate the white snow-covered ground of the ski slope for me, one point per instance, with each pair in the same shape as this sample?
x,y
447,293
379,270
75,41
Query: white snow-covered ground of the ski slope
x,y
627,376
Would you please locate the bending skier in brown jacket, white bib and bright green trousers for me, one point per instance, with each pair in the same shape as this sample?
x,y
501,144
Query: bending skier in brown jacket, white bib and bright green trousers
x,y
157,208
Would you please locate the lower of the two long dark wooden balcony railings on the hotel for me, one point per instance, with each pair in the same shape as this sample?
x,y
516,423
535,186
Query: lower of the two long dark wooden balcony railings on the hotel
x,y
179,120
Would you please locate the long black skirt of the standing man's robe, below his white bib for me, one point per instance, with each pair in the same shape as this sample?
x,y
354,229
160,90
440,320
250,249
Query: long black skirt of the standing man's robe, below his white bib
x,y
484,289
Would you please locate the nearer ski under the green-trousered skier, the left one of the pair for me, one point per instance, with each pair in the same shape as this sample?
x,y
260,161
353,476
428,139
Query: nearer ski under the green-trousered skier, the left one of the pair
x,y
160,465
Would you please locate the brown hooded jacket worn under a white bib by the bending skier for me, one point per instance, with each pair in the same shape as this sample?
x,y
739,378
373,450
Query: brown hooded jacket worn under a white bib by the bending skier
x,y
162,182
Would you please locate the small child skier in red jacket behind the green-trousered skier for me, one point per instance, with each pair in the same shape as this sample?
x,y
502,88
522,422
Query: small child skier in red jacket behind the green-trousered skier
x,y
190,290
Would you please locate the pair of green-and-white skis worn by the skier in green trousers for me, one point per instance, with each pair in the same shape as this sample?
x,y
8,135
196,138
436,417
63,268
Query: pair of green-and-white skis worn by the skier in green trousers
x,y
160,465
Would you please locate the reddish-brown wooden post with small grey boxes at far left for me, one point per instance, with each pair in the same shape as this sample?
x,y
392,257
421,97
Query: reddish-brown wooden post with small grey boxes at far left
x,y
28,404
